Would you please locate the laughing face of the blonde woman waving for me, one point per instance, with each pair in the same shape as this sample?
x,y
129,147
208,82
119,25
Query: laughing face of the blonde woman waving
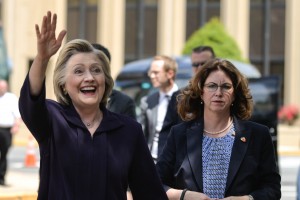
x,y
85,80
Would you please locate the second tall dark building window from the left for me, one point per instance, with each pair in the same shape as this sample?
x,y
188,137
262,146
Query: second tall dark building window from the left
x,y
140,29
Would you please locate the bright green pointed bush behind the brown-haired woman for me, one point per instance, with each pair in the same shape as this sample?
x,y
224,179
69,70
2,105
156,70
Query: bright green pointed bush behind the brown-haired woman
x,y
213,34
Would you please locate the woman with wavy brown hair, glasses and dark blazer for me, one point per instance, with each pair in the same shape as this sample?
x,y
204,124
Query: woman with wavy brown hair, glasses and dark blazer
x,y
217,153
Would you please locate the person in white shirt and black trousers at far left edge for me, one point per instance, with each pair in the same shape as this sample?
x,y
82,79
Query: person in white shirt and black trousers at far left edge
x,y
10,120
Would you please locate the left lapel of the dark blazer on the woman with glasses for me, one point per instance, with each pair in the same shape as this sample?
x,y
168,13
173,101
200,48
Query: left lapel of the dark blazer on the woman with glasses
x,y
194,151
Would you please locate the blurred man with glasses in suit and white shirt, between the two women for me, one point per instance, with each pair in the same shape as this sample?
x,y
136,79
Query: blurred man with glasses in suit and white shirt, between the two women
x,y
162,74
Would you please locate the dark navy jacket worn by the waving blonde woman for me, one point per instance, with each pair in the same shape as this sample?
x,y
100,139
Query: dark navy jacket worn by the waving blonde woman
x,y
74,165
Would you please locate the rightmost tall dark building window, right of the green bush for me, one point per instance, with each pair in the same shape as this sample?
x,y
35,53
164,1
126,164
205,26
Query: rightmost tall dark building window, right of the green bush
x,y
267,34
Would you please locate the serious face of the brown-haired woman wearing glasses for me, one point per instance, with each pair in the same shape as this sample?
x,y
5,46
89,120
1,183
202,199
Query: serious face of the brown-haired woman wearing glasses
x,y
220,100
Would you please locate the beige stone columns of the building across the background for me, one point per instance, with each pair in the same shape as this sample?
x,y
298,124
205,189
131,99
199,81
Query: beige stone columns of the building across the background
x,y
20,16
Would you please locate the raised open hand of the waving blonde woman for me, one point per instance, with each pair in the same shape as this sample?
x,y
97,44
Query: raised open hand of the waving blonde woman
x,y
47,43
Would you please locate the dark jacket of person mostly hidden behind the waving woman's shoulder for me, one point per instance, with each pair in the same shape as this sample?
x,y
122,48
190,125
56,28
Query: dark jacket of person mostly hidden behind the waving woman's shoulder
x,y
122,104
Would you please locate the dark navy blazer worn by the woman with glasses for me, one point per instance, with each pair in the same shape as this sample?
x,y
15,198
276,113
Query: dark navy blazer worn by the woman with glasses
x,y
252,168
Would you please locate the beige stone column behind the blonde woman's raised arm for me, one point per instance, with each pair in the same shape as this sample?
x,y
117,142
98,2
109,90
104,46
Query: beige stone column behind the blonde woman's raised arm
x,y
19,19
